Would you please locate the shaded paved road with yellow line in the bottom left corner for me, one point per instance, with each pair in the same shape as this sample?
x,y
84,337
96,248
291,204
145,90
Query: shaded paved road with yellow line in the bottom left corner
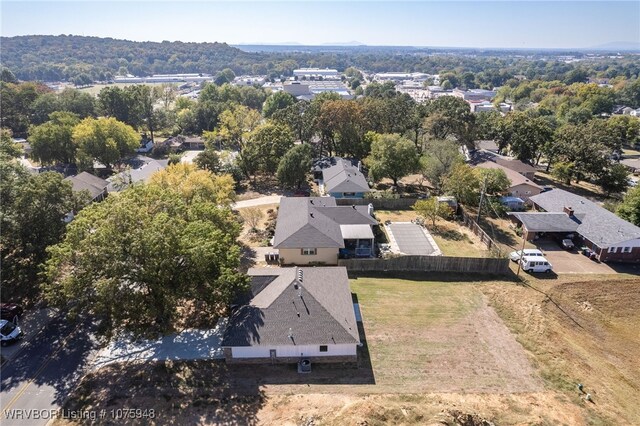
x,y
34,384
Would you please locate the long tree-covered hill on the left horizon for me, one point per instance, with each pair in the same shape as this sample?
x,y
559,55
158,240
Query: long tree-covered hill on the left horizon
x,y
54,58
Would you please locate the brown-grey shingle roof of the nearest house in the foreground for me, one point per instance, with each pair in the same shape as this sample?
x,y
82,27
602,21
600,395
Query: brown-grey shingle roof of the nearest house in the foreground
x,y
320,311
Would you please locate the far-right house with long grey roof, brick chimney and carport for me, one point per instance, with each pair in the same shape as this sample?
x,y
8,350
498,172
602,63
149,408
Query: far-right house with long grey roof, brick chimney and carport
x,y
609,236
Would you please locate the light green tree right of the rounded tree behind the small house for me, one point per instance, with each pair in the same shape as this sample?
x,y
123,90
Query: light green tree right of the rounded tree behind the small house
x,y
439,157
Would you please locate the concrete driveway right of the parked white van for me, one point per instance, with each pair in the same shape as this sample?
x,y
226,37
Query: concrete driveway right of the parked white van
x,y
571,262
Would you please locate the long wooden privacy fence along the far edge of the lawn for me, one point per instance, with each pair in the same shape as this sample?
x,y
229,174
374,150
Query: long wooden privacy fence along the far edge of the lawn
x,y
478,265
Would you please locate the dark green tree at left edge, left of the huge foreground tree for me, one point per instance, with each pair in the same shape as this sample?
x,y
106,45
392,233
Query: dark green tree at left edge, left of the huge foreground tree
x,y
33,209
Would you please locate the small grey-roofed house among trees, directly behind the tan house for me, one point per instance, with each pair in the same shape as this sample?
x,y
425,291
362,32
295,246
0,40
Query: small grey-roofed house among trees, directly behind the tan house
x,y
341,179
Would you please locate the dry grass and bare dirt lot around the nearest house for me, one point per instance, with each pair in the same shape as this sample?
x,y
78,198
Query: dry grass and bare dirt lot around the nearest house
x,y
439,350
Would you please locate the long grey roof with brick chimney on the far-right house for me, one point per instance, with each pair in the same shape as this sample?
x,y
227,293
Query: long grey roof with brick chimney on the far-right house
x,y
596,223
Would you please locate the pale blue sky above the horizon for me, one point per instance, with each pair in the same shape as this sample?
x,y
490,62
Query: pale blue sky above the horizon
x,y
527,24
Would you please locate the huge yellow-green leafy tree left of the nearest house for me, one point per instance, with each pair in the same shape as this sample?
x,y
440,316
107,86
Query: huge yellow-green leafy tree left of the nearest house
x,y
135,259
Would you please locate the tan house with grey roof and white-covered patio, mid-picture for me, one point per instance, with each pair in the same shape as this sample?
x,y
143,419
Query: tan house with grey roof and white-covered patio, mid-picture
x,y
315,230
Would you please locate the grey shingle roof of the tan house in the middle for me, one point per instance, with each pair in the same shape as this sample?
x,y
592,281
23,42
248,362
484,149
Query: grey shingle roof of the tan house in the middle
x,y
315,222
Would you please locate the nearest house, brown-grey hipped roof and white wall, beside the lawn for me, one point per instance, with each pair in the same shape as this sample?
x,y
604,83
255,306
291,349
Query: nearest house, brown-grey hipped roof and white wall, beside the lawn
x,y
292,314
